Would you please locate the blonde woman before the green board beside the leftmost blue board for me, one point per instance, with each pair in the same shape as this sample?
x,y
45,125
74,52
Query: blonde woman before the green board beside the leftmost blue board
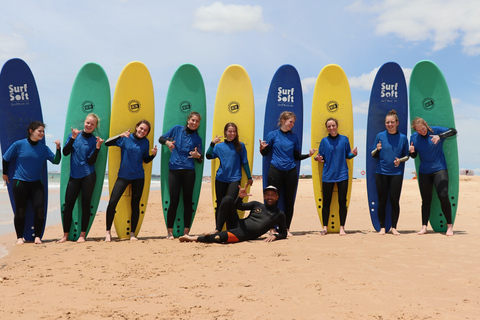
x,y
83,147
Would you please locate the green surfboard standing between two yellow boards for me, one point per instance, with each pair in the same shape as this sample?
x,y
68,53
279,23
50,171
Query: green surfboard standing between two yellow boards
x,y
186,93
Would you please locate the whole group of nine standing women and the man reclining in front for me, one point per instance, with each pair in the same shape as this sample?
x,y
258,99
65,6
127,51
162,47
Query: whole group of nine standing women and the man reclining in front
x,y
391,149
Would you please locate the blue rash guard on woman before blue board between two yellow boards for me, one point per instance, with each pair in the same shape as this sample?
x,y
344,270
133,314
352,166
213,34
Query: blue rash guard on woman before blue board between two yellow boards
x,y
283,146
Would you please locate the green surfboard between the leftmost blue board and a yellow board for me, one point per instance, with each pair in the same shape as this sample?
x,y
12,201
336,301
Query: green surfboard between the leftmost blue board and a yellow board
x,y
90,94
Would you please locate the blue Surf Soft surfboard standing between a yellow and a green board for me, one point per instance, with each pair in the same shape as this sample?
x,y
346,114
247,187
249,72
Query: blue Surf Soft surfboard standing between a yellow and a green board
x,y
389,91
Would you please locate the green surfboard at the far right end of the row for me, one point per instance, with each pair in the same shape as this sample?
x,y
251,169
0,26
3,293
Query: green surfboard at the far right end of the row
x,y
429,98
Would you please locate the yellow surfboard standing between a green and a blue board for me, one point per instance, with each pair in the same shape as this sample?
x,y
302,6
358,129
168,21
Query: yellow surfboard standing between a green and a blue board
x,y
234,103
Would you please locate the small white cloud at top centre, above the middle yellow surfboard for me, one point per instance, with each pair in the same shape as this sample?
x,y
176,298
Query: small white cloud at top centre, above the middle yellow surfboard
x,y
230,18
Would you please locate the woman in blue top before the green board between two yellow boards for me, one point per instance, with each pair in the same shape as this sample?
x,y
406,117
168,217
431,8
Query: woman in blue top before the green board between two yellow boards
x,y
185,145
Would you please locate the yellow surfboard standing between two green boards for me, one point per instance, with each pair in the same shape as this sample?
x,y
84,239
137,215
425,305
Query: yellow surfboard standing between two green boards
x,y
132,101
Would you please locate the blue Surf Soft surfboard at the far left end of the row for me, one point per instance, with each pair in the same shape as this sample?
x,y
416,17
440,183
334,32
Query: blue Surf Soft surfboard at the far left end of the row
x,y
19,106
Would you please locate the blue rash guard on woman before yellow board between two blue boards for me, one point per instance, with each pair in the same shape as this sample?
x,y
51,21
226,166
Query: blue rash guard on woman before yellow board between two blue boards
x,y
335,151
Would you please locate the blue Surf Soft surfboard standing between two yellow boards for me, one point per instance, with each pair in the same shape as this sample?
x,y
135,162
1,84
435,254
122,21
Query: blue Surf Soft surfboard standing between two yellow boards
x,y
284,94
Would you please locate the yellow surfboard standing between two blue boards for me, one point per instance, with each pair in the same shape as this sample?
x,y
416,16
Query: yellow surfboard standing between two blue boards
x,y
331,98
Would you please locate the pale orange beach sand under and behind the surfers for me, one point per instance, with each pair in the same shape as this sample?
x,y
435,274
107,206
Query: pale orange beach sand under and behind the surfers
x,y
358,276
